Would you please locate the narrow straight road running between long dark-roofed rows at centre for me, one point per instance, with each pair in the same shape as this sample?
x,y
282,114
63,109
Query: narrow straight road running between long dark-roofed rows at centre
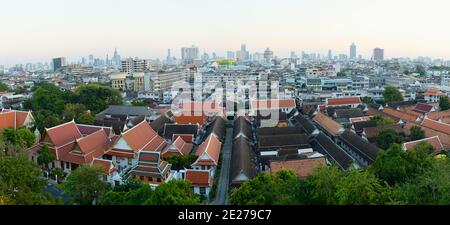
x,y
223,182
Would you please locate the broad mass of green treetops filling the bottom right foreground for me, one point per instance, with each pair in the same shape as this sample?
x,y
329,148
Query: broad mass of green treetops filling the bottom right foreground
x,y
397,177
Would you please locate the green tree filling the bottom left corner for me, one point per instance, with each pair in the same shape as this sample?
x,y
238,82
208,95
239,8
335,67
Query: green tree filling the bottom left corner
x,y
20,182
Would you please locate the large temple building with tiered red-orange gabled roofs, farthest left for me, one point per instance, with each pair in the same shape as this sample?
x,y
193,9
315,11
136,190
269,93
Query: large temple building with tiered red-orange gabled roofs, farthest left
x,y
74,145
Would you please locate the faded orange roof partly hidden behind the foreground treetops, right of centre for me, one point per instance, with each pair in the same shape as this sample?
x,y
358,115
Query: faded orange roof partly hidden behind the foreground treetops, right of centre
x,y
302,167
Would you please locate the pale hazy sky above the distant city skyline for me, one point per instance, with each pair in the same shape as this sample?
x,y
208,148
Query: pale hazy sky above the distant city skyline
x,y
34,31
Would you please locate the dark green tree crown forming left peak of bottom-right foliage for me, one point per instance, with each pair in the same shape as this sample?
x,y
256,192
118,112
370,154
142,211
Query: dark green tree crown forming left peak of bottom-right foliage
x,y
391,165
